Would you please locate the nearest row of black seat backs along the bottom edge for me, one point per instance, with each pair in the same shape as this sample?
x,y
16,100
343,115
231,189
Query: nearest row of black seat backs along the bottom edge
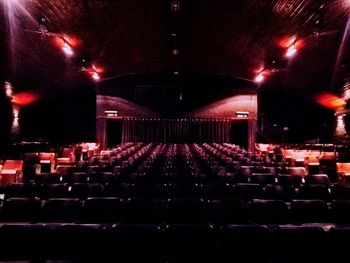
x,y
177,243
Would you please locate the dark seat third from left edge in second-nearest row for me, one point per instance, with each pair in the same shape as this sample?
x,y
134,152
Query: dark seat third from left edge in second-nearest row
x,y
103,210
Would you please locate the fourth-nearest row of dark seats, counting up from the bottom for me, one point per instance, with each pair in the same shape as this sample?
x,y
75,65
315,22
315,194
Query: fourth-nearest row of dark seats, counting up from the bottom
x,y
243,176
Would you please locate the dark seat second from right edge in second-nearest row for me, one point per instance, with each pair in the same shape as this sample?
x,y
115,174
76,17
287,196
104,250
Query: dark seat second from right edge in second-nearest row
x,y
309,211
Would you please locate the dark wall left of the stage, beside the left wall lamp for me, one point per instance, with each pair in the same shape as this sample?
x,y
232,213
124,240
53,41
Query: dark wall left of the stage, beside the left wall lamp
x,y
62,118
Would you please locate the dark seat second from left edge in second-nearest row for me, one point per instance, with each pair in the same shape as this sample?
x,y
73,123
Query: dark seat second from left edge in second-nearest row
x,y
62,210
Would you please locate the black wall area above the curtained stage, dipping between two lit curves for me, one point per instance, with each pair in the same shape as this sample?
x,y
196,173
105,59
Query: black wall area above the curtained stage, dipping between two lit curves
x,y
173,96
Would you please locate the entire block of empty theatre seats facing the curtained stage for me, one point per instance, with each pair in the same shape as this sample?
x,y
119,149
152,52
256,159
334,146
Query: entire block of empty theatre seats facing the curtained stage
x,y
174,203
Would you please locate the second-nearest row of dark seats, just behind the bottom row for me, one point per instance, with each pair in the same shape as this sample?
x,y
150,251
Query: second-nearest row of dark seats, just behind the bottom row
x,y
174,211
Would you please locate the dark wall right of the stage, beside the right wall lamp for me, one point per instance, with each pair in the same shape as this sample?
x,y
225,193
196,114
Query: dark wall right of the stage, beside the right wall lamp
x,y
306,119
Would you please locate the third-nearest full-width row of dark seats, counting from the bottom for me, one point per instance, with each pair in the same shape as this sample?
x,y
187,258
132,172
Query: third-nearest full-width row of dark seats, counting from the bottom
x,y
207,191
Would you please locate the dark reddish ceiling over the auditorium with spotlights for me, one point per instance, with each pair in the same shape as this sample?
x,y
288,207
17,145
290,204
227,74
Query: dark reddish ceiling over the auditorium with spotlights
x,y
224,36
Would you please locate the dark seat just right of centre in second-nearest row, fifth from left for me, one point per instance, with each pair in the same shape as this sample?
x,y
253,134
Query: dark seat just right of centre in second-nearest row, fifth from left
x,y
185,211
